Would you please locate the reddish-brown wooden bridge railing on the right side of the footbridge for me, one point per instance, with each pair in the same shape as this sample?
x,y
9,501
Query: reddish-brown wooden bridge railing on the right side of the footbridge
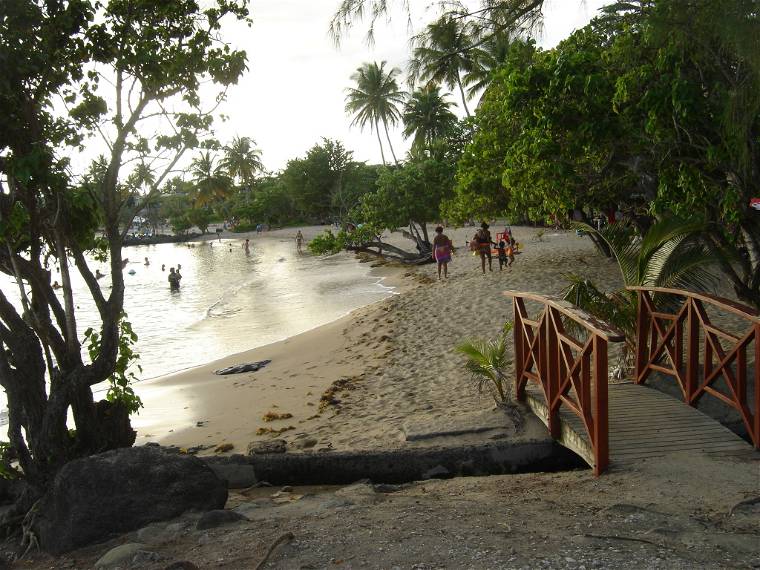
x,y
686,345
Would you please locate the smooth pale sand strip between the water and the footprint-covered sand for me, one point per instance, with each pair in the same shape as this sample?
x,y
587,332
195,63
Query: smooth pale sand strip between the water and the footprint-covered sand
x,y
181,400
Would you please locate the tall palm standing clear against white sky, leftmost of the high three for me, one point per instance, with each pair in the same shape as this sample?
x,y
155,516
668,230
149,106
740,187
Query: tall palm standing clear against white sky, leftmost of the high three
x,y
375,100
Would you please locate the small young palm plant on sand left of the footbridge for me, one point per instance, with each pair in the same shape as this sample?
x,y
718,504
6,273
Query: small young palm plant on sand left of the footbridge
x,y
487,364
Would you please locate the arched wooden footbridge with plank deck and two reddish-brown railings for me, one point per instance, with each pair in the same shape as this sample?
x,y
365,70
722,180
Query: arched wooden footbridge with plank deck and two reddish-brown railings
x,y
561,372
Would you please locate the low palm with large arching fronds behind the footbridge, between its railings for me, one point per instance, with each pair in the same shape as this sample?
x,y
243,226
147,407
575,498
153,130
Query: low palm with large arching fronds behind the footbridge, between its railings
x,y
668,255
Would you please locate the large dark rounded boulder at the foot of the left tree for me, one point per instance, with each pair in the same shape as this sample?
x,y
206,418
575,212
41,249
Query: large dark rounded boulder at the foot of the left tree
x,y
94,498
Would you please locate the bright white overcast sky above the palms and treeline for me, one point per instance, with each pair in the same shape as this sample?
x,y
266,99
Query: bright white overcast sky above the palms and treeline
x,y
294,91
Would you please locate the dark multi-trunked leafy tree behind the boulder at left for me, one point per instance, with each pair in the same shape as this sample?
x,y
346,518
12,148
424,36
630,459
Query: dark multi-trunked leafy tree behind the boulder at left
x,y
154,57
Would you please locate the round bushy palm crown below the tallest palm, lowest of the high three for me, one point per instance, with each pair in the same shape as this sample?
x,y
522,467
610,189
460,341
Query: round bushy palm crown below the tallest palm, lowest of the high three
x,y
427,116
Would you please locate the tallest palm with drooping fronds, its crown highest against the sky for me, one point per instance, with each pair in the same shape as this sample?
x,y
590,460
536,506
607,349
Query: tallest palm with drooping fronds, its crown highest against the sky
x,y
442,54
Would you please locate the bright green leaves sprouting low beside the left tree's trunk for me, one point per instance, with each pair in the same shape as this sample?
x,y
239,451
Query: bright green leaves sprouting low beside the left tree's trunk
x,y
120,389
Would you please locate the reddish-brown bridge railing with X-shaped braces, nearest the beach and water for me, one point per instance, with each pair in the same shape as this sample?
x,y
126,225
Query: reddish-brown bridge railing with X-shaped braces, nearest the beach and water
x,y
572,373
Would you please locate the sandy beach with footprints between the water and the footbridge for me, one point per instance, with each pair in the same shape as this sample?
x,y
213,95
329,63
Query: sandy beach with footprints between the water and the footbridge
x,y
355,383
